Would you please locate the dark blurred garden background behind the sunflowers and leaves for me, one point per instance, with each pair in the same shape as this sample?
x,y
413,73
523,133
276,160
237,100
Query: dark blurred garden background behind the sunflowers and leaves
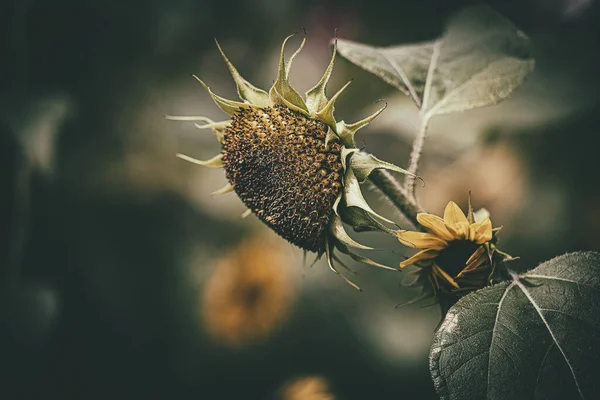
x,y
122,277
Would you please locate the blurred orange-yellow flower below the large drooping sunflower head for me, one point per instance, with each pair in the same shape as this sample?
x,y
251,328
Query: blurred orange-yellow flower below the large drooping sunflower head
x,y
248,294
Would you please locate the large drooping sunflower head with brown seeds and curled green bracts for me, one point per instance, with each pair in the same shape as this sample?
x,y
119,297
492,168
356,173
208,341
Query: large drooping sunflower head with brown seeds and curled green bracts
x,y
293,165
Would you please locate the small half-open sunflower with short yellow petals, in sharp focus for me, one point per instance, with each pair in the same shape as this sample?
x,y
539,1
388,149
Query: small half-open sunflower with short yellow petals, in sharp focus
x,y
457,250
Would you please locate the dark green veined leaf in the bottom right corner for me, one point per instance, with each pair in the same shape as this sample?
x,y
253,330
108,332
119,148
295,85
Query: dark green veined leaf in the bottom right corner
x,y
535,337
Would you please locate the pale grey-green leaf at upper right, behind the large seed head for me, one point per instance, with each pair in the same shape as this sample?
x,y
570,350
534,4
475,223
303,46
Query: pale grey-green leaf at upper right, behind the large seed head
x,y
478,62
